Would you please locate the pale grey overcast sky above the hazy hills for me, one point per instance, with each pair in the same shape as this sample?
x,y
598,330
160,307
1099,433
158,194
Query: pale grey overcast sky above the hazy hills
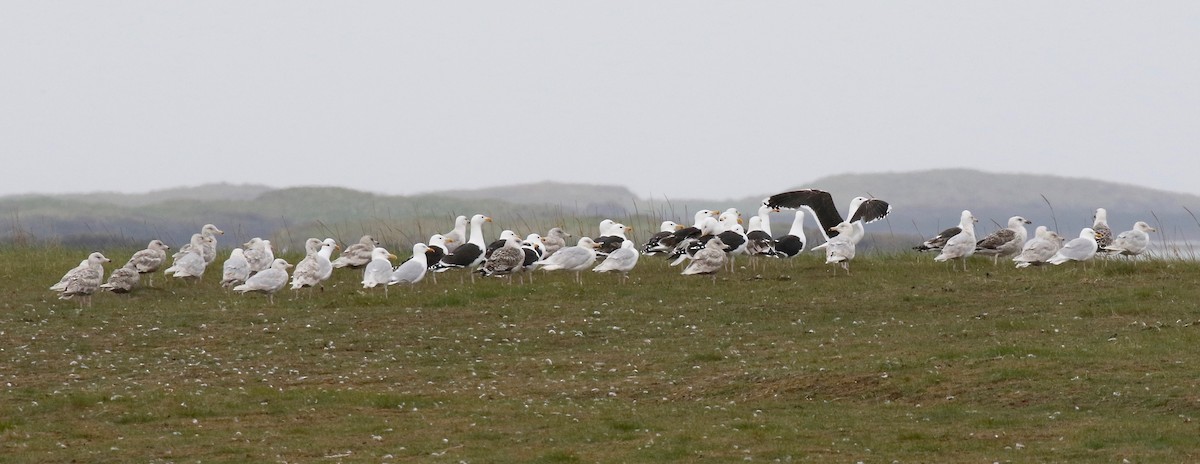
x,y
677,99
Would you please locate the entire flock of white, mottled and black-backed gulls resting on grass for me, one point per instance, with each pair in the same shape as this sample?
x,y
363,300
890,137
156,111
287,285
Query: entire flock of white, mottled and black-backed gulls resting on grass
x,y
710,245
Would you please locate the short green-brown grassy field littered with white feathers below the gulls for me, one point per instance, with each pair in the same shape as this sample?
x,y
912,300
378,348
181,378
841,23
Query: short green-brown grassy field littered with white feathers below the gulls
x,y
903,361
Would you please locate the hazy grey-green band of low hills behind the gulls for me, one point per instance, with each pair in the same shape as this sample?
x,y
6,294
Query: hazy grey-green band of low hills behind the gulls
x,y
923,202
